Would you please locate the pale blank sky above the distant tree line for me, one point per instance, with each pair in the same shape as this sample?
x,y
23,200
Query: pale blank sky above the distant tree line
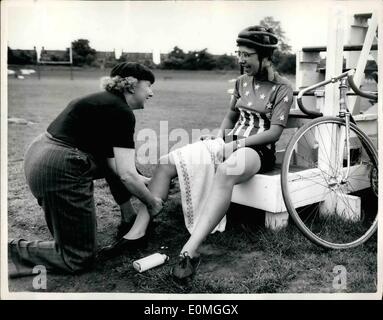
x,y
158,26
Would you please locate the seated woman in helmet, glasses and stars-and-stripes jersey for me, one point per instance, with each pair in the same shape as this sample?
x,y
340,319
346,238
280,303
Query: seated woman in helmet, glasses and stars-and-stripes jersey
x,y
256,118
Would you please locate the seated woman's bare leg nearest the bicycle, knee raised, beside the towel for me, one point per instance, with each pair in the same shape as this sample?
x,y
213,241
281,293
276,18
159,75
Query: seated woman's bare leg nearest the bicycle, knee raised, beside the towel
x,y
239,167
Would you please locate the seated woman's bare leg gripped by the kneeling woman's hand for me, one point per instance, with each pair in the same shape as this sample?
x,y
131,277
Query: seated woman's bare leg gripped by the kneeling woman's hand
x,y
159,187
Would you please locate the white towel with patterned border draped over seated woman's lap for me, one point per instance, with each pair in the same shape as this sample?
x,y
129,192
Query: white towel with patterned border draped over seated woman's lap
x,y
196,165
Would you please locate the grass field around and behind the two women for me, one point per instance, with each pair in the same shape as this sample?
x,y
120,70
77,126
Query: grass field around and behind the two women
x,y
246,258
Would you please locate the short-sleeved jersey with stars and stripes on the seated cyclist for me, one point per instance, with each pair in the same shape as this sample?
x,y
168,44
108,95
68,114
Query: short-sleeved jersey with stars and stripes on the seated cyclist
x,y
261,104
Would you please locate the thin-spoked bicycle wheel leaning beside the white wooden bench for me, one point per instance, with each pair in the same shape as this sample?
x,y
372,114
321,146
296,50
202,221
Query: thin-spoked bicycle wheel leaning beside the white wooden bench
x,y
329,209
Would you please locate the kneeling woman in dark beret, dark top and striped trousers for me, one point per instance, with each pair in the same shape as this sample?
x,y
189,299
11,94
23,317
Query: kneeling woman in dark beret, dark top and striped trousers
x,y
92,138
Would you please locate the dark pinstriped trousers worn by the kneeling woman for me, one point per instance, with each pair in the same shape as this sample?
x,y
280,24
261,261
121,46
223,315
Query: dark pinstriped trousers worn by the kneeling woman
x,y
61,177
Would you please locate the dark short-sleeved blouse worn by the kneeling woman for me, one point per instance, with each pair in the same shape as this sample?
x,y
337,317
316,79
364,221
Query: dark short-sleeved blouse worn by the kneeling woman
x,y
96,123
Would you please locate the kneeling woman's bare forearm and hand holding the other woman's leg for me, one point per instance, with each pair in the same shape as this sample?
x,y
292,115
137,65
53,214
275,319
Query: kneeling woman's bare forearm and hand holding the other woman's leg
x,y
125,168
